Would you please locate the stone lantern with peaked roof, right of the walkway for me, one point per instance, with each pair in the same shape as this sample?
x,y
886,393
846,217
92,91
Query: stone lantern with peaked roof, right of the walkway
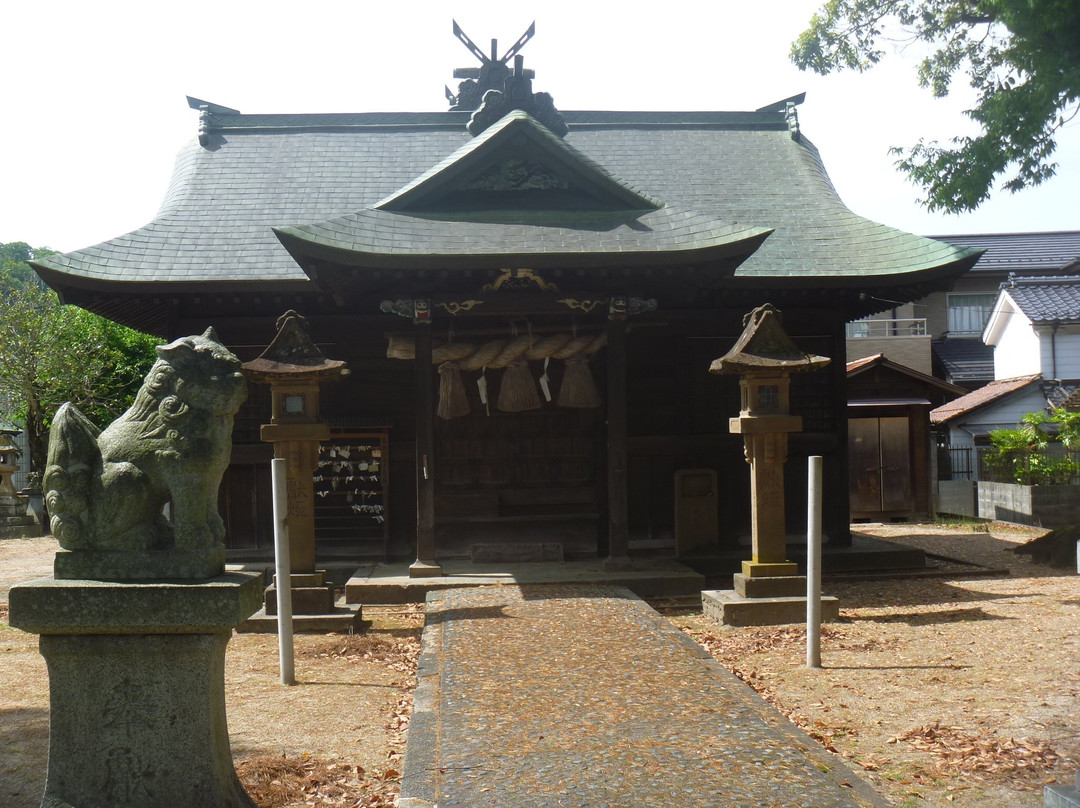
x,y
765,358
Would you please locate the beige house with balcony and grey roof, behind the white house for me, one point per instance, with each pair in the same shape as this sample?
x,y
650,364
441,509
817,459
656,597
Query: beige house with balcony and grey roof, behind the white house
x,y
941,333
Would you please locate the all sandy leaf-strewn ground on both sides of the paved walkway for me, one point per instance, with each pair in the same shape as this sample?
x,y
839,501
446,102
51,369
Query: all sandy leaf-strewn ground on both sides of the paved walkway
x,y
951,691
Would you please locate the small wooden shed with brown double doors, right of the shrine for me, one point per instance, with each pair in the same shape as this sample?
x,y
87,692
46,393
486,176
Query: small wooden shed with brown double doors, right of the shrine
x,y
890,450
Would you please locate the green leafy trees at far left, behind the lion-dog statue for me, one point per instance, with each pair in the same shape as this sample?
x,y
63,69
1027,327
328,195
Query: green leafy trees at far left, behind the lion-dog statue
x,y
51,354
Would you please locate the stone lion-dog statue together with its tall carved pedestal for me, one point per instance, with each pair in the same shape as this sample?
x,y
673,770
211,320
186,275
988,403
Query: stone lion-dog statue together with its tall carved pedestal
x,y
137,618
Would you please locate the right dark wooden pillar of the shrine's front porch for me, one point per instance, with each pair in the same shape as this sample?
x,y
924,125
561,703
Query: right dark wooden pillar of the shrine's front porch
x,y
618,534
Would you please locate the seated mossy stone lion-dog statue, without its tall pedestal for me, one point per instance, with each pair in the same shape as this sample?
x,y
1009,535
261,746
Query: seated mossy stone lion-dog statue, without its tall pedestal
x,y
109,491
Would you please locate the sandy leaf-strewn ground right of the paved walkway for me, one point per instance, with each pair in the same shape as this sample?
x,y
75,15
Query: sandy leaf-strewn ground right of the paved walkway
x,y
947,691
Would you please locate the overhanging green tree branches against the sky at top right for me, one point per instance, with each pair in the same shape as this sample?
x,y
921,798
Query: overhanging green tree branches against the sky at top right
x,y
1021,57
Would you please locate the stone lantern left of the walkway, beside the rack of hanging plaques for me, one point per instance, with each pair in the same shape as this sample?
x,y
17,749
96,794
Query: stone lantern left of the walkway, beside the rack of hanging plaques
x,y
294,368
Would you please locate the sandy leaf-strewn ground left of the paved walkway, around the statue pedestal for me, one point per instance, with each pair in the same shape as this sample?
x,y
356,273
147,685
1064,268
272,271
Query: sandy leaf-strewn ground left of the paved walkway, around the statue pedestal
x,y
350,708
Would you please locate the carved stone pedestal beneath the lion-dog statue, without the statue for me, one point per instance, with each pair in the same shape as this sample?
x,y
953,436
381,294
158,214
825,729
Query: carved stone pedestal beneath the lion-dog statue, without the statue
x,y
137,679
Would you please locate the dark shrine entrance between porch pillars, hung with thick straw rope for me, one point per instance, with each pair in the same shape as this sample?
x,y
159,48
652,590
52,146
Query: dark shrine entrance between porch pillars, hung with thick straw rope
x,y
520,449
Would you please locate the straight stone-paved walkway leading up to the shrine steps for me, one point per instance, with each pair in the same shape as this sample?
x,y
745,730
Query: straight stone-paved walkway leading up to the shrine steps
x,y
583,696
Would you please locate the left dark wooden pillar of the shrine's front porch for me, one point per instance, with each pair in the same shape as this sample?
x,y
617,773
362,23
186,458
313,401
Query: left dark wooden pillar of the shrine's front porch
x,y
425,565
